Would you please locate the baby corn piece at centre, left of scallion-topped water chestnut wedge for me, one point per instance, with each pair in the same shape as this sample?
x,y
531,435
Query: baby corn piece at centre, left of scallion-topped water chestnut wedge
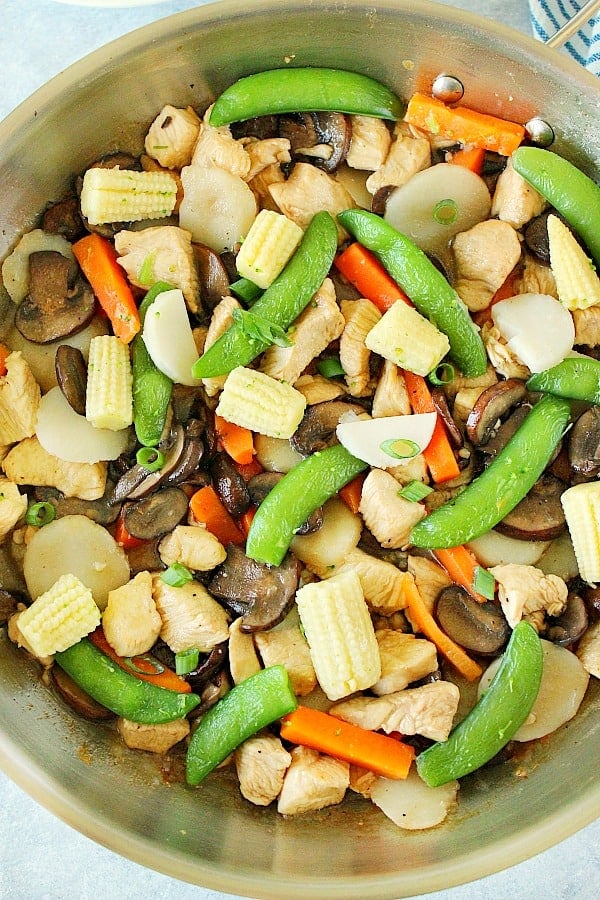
x,y
261,403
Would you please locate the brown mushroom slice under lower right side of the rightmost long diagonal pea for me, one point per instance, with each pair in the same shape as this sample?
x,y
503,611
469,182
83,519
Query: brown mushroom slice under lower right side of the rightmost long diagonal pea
x,y
539,516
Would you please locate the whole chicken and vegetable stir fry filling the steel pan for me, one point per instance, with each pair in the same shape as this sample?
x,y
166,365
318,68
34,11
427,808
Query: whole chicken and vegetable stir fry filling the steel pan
x,y
299,430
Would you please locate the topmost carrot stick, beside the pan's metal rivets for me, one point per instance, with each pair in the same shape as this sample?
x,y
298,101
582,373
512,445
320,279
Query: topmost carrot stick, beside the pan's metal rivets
x,y
463,124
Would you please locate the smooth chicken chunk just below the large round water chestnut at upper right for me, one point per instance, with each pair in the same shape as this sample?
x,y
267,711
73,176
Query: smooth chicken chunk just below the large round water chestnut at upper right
x,y
484,257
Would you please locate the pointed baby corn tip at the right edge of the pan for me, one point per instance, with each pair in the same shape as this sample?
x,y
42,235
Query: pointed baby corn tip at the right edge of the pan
x,y
577,284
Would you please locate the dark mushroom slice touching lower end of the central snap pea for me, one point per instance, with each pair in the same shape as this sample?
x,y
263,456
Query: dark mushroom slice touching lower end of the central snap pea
x,y
262,594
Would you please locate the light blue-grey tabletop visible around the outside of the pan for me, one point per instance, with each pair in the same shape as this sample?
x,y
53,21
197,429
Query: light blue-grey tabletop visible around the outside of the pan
x,y
40,857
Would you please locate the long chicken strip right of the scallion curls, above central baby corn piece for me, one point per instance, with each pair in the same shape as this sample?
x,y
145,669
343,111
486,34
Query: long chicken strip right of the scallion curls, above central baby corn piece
x,y
320,323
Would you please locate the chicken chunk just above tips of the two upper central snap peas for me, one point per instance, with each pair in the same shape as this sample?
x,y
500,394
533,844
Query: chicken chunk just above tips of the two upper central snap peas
x,y
307,191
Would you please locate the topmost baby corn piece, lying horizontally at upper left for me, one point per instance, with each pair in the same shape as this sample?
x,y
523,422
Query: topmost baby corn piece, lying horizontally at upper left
x,y
122,195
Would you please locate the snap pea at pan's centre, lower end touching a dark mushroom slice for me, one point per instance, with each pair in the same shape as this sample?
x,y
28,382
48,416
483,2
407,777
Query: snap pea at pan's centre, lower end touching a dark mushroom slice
x,y
302,490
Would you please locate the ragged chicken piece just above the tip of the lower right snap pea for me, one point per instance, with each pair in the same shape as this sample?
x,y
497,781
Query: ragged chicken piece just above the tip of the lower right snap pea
x,y
527,593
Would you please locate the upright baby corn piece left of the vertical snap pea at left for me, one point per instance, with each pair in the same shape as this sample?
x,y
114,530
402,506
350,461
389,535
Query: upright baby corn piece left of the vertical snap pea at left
x,y
109,402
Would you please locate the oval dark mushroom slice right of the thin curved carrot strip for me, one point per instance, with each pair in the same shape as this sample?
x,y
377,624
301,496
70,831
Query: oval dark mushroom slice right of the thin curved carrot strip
x,y
479,627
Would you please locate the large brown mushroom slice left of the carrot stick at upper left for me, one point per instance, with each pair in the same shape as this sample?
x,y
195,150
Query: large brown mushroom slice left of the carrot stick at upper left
x,y
59,301
